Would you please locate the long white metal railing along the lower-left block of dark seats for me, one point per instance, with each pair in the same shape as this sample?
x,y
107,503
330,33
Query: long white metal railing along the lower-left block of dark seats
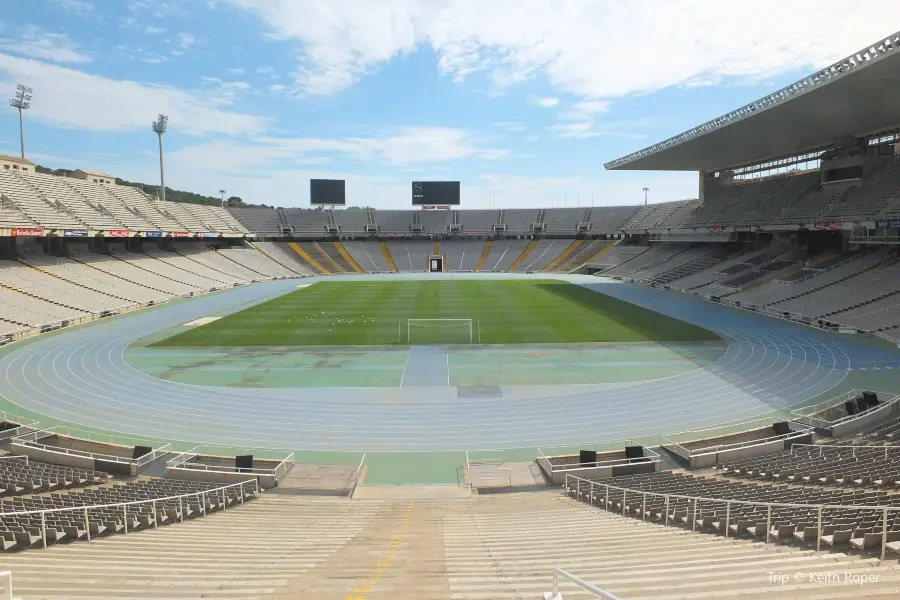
x,y
218,493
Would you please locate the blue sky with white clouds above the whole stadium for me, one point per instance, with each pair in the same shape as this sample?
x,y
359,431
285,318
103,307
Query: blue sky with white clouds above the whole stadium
x,y
521,100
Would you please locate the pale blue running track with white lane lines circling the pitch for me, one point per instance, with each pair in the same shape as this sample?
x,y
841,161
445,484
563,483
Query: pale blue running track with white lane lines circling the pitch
x,y
81,376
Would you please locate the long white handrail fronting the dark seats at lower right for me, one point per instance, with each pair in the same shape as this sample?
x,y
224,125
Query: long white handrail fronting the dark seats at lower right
x,y
819,508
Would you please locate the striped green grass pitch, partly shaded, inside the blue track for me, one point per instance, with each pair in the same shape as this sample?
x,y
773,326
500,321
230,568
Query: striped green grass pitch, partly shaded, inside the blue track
x,y
350,313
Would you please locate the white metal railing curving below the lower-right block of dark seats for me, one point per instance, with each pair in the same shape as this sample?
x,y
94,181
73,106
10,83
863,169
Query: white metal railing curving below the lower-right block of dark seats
x,y
695,500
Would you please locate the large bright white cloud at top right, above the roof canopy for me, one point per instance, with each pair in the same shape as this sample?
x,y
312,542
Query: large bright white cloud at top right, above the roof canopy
x,y
588,48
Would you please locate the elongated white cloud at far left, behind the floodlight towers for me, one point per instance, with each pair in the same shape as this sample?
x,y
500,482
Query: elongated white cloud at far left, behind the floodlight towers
x,y
77,100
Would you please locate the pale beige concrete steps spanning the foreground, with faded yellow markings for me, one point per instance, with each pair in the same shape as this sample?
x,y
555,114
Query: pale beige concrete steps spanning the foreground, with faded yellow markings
x,y
488,547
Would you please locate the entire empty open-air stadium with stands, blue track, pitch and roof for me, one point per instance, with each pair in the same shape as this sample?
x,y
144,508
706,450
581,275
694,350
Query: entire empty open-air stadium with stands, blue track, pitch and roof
x,y
690,399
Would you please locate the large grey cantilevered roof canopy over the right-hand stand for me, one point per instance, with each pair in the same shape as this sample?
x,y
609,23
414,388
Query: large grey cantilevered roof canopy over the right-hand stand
x,y
855,96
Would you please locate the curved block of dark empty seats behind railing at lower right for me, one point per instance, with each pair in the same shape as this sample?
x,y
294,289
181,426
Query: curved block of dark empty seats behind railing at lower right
x,y
850,519
